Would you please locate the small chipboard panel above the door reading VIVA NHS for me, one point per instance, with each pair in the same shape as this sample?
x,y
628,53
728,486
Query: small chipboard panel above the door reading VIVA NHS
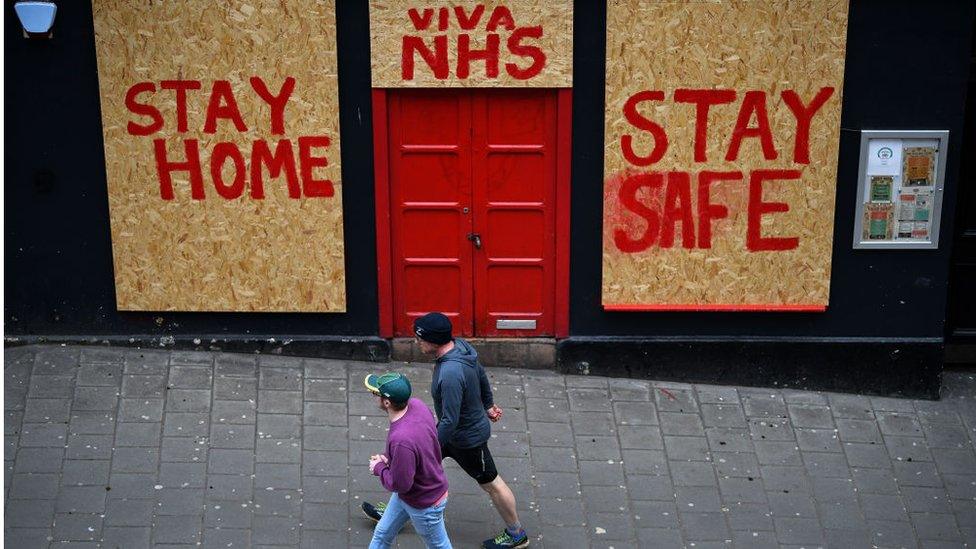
x,y
495,43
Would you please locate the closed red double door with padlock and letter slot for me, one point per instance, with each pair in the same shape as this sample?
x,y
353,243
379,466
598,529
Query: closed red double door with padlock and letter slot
x,y
472,196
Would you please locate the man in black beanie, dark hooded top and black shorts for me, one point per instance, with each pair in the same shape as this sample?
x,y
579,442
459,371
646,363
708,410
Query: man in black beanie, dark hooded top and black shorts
x,y
464,406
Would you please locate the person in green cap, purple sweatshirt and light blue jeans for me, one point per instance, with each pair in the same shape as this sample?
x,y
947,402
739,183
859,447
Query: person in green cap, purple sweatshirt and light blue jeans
x,y
410,467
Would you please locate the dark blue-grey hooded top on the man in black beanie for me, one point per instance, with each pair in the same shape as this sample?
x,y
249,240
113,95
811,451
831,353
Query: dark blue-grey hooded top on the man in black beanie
x,y
461,395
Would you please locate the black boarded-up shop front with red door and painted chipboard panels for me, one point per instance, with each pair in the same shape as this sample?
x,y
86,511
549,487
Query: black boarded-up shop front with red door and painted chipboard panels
x,y
650,188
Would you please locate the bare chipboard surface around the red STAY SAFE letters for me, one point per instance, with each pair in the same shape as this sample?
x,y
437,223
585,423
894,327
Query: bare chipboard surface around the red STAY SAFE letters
x,y
739,45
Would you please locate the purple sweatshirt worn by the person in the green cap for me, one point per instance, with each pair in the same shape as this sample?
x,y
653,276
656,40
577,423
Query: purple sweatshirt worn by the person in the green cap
x,y
414,472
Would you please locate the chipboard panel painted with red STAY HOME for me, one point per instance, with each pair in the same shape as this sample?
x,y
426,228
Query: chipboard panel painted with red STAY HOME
x,y
247,87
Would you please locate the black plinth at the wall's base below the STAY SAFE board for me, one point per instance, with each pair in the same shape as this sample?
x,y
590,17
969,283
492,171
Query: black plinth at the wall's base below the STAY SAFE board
x,y
888,367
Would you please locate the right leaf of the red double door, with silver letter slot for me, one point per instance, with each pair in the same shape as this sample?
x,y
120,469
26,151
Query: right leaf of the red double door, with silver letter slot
x,y
514,198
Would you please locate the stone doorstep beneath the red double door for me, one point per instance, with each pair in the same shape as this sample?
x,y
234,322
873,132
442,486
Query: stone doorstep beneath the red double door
x,y
534,353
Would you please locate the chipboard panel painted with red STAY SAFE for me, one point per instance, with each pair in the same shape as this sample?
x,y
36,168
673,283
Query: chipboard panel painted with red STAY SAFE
x,y
671,243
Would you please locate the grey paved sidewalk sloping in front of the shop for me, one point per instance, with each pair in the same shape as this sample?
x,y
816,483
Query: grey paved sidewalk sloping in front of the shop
x,y
133,448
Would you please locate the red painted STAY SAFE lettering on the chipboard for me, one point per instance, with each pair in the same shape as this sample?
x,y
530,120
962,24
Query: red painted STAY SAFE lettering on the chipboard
x,y
662,200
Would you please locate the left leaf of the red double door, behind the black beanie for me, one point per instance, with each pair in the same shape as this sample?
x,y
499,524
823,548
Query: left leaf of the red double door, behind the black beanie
x,y
430,163
